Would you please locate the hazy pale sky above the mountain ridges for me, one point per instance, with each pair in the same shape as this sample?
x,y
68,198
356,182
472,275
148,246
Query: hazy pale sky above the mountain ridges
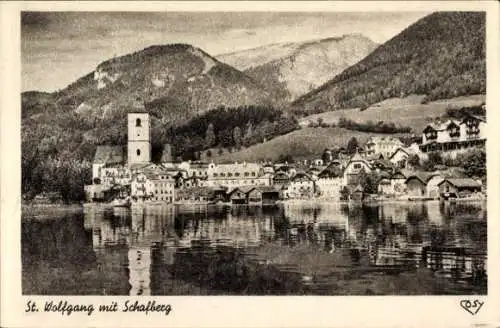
x,y
57,48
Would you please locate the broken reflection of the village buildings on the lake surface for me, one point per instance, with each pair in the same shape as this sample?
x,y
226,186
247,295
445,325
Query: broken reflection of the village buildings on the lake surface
x,y
140,243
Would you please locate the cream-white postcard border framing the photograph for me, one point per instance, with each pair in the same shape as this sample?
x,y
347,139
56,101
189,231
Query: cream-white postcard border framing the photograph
x,y
310,311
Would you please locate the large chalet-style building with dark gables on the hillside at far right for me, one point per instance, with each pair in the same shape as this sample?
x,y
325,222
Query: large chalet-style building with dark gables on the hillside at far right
x,y
455,136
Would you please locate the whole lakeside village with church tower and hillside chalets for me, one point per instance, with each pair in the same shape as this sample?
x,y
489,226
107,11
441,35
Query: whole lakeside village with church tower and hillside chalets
x,y
382,168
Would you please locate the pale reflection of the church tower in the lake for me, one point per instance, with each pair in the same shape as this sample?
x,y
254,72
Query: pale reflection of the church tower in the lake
x,y
139,259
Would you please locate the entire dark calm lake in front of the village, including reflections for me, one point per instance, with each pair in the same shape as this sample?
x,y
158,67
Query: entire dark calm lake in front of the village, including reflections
x,y
288,249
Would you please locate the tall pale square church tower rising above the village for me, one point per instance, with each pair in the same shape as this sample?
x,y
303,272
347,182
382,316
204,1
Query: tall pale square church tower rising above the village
x,y
139,146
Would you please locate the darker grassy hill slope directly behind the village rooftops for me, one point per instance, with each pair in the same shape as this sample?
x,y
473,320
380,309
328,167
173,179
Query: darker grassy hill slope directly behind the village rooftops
x,y
302,143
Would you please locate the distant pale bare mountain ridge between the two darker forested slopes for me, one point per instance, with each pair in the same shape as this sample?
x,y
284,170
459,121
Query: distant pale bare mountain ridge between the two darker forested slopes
x,y
288,70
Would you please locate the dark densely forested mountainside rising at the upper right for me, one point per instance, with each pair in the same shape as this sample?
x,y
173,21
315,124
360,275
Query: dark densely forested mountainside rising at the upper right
x,y
441,56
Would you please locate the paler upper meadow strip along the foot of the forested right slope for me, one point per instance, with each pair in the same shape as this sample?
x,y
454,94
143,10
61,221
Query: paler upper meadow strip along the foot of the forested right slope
x,y
406,112
